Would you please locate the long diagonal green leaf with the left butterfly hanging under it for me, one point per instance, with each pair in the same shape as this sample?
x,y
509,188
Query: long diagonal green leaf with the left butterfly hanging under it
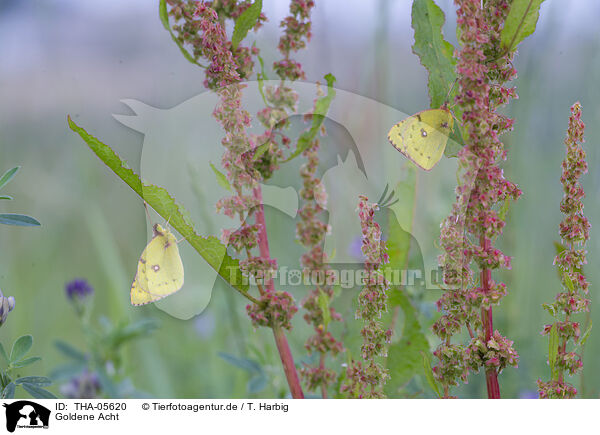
x,y
210,248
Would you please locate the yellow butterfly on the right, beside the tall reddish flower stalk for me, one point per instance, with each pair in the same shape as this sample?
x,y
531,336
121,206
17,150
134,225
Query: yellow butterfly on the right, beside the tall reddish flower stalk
x,y
423,137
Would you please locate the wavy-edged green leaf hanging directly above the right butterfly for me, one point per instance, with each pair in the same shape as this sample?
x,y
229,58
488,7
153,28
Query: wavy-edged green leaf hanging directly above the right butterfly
x,y
435,53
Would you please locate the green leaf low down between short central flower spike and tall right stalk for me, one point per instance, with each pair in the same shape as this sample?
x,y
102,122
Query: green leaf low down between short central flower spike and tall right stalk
x,y
405,359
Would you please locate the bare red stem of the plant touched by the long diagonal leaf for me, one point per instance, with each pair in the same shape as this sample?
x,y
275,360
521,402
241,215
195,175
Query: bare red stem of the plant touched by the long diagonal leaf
x,y
283,347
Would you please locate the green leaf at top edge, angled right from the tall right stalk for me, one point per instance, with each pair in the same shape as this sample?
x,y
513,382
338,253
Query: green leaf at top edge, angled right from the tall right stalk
x,y
520,22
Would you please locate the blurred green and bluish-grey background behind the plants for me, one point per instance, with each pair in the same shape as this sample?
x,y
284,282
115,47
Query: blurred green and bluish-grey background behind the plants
x,y
81,58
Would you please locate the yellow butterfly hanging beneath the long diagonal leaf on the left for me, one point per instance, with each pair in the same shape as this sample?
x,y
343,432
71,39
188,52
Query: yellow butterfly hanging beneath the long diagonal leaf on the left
x,y
160,270
